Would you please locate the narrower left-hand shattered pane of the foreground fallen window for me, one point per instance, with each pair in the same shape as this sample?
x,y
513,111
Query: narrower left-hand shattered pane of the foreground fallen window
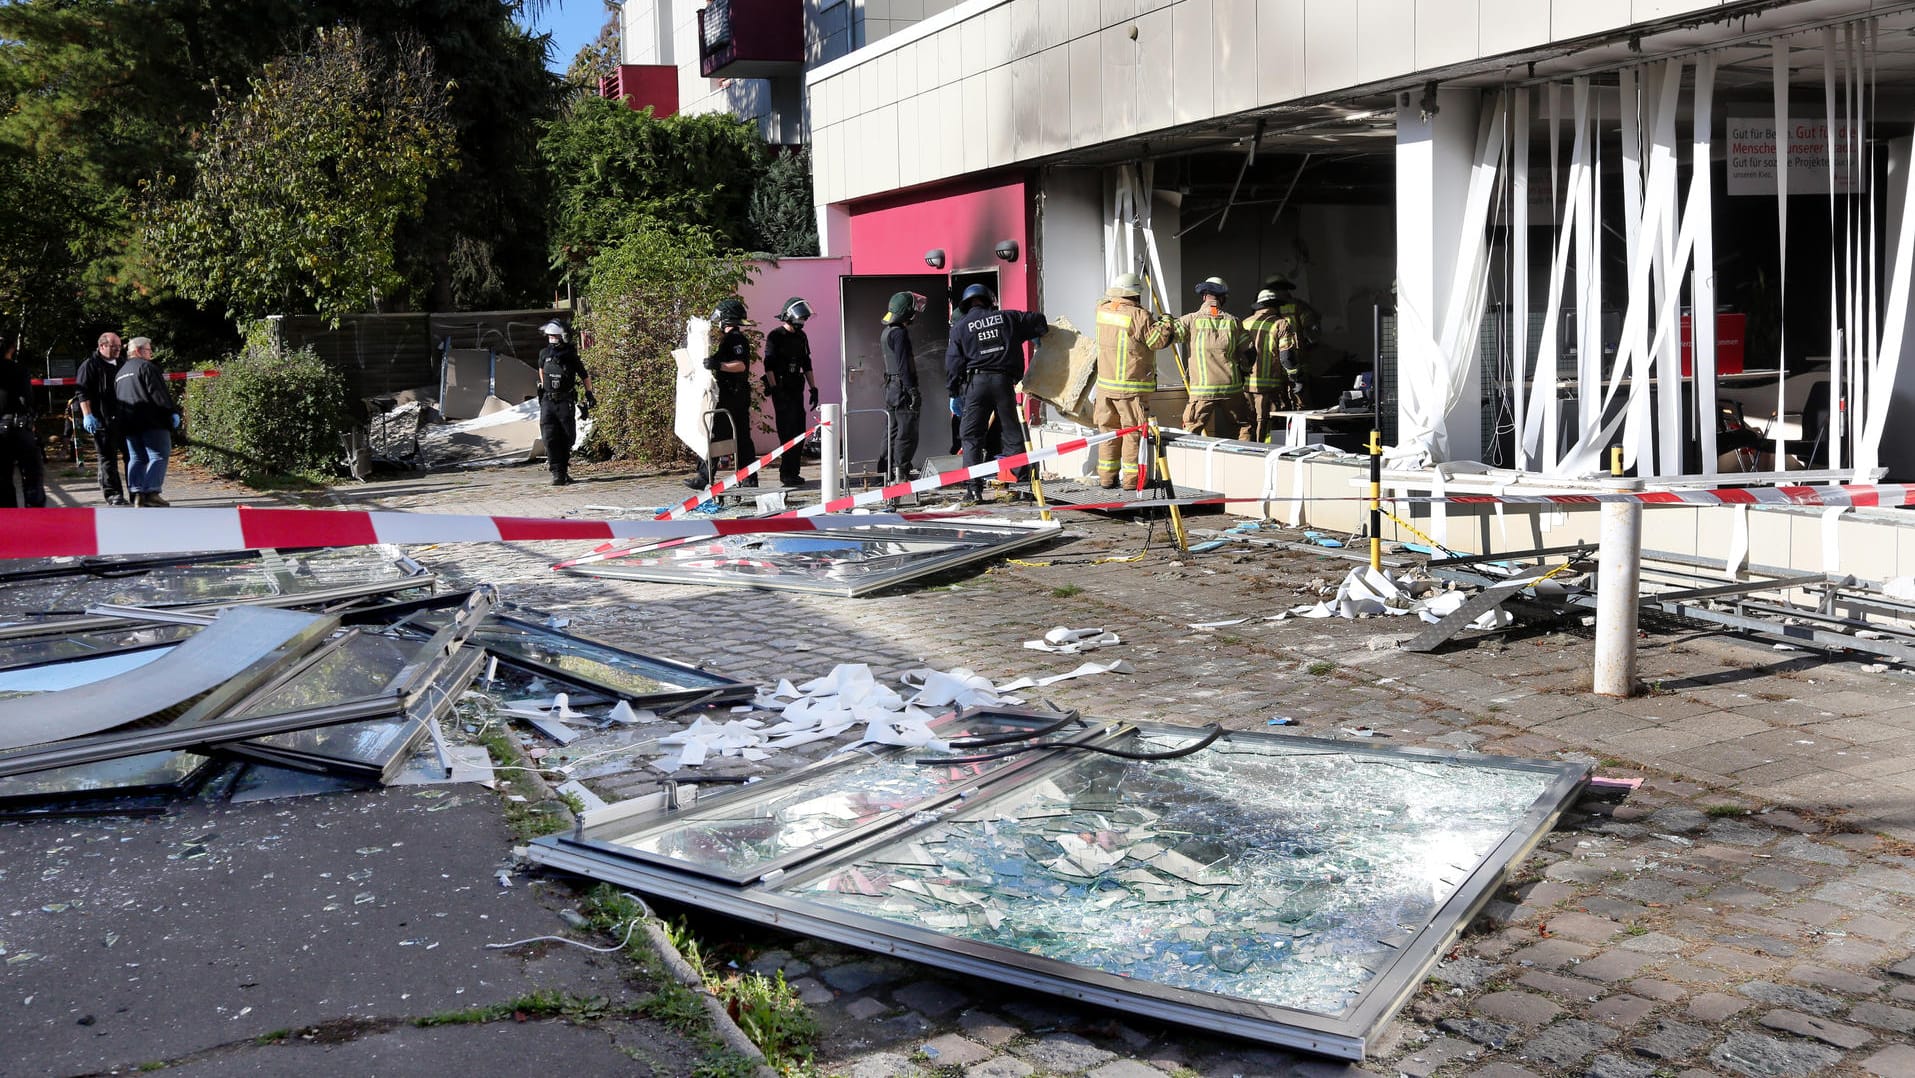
x,y
740,834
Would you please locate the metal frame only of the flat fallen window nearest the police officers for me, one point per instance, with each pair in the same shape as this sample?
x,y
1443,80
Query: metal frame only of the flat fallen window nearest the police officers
x,y
1010,537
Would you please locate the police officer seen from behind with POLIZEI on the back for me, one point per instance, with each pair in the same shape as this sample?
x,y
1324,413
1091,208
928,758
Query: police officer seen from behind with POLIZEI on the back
x,y
983,361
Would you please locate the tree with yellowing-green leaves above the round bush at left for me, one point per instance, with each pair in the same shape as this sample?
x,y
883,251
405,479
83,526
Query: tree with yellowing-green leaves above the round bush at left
x,y
302,187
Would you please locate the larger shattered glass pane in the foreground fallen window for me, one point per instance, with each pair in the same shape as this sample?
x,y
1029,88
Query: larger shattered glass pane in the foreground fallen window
x,y
1255,870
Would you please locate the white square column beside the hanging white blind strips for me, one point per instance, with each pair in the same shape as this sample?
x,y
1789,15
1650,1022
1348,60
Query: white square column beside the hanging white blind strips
x,y
1435,154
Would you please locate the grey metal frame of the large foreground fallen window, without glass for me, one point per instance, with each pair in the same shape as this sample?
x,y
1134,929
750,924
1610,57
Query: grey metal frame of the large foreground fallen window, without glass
x,y
1345,1037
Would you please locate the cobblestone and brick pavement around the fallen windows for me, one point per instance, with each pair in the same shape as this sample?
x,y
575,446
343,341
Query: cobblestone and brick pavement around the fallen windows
x,y
1747,912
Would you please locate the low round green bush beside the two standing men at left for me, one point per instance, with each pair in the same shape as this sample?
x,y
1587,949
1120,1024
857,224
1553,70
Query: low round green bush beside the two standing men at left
x,y
269,415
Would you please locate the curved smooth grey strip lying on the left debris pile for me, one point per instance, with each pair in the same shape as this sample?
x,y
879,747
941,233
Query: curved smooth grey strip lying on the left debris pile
x,y
244,639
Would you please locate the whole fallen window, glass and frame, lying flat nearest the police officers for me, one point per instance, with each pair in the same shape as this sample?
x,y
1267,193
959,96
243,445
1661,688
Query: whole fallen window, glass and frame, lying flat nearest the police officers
x,y
849,562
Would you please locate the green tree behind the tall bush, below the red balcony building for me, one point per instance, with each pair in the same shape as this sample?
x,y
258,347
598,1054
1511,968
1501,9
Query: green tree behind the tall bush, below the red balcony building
x,y
616,169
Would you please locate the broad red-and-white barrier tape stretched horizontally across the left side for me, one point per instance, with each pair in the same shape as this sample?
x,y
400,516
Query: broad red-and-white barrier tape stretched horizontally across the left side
x,y
85,533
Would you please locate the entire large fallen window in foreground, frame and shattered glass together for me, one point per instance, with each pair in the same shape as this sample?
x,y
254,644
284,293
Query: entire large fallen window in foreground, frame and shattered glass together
x,y
1282,889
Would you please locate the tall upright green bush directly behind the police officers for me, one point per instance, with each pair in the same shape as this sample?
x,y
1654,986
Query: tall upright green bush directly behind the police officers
x,y
642,292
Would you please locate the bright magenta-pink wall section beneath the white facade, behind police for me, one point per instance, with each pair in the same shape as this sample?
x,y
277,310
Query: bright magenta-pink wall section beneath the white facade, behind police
x,y
966,219
